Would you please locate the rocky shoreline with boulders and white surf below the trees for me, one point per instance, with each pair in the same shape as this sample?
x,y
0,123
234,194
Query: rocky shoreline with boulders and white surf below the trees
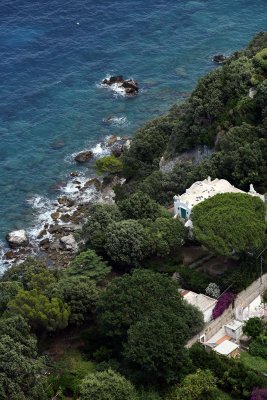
x,y
56,241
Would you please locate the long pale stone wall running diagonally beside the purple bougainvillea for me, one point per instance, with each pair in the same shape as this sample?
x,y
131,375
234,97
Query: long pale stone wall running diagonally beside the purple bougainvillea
x,y
243,299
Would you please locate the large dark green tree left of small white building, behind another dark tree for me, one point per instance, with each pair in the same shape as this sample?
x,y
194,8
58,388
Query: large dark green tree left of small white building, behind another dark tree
x,y
129,298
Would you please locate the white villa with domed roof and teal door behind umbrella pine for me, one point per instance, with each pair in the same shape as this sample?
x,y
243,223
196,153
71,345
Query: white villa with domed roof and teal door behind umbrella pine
x,y
203,190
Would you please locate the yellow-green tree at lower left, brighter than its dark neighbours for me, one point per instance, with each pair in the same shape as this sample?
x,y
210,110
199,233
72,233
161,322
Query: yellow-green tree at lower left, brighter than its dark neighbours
x,y
40,311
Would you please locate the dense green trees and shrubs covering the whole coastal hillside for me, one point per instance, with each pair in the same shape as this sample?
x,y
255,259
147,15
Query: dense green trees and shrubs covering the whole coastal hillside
x,y
115,310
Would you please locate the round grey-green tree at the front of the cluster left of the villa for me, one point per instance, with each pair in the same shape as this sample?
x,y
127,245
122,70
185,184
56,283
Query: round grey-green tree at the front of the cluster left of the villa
x,y
127,242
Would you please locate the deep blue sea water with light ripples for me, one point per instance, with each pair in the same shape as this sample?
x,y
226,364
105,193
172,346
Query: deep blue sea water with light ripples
x,y
53,54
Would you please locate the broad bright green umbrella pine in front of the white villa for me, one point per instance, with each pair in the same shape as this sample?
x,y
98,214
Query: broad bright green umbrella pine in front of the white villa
x,y
230,224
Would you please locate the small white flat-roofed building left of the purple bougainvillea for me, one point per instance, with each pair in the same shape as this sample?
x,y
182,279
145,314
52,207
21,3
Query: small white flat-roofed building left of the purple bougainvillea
x,y
204,303
